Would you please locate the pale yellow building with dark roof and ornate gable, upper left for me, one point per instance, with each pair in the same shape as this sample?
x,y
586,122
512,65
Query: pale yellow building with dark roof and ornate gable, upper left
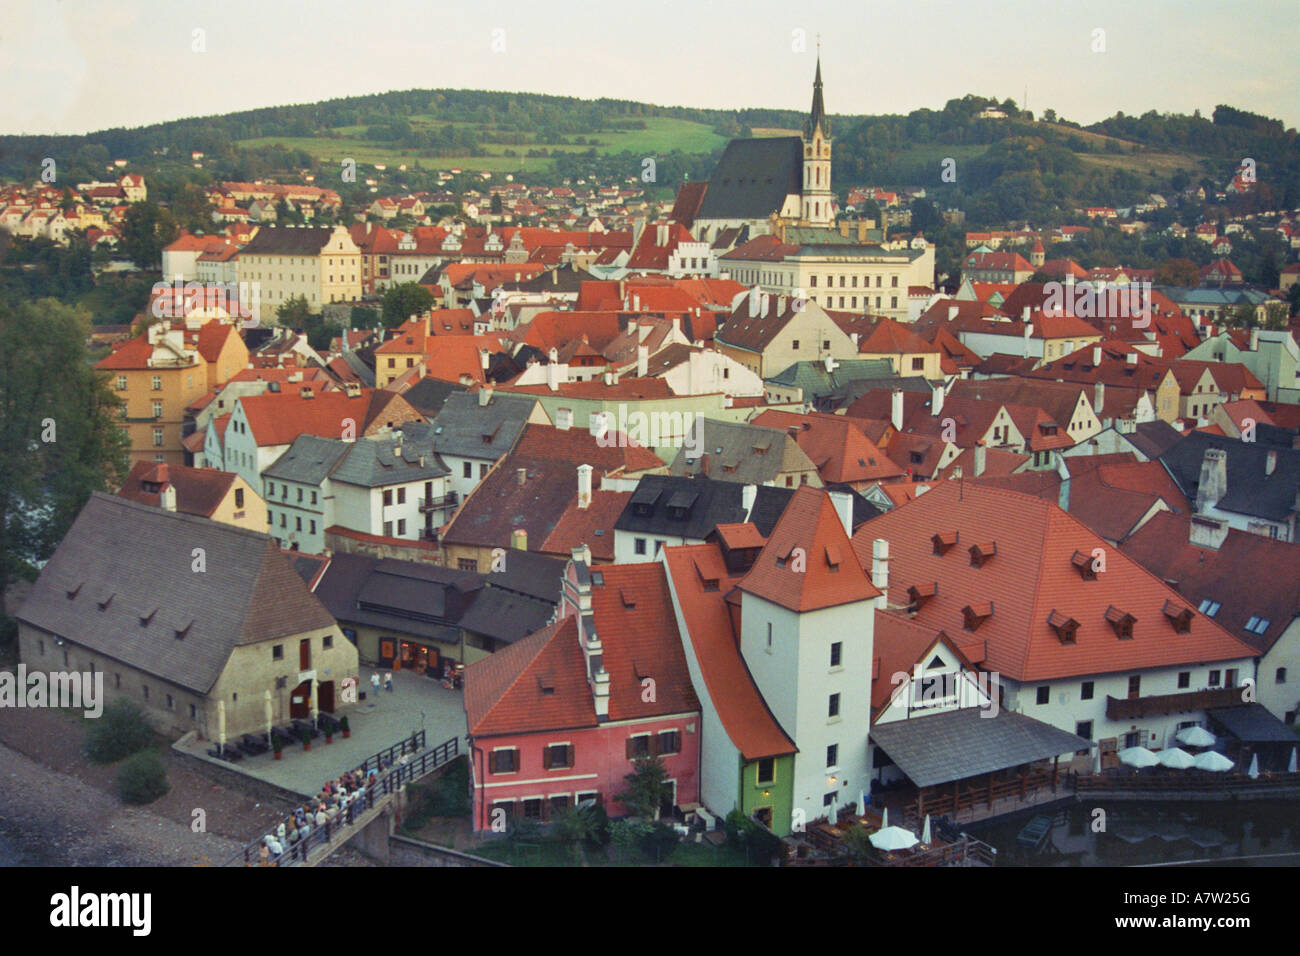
x,y
319,265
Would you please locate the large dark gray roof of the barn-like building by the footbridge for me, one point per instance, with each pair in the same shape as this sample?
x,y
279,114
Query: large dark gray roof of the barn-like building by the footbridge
x,y
124,563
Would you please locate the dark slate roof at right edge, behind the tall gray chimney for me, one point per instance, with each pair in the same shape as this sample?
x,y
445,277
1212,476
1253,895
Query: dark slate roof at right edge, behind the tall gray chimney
x,y
1250,490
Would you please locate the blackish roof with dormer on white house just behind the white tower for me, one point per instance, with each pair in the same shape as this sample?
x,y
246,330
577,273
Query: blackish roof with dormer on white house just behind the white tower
x,y
717,503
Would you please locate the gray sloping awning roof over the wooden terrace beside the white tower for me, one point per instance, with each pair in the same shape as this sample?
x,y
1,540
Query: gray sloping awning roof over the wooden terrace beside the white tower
x,y
942,749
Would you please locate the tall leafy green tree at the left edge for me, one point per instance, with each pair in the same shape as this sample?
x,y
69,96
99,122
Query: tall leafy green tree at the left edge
x,y
60,430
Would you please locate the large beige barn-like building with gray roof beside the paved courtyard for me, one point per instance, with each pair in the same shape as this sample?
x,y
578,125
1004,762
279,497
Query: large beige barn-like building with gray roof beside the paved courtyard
x,y
202,628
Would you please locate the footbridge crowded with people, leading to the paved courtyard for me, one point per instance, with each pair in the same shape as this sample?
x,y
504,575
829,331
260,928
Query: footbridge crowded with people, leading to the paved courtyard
x,y
370,814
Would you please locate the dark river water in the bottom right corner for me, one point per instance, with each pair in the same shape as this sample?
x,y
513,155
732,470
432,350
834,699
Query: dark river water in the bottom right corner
x,y
1133,834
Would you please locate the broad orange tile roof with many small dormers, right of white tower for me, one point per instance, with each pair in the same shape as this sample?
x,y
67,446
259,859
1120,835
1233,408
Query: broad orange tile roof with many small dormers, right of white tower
x,y
1033,574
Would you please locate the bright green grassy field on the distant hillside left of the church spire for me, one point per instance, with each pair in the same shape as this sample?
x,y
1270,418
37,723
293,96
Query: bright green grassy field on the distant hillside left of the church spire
x,y
662,136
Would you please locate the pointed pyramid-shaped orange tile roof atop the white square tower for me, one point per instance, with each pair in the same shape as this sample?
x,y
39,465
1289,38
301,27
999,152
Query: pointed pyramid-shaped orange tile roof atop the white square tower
x,y
831,573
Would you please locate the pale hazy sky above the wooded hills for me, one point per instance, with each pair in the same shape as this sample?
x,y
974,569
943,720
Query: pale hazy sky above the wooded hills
x,y
81,66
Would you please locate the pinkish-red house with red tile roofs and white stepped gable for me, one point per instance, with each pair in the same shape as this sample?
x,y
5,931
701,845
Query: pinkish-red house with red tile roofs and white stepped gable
x,y
560,717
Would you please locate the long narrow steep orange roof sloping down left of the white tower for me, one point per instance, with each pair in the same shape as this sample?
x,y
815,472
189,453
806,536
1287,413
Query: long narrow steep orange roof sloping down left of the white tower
x,y
701,582
